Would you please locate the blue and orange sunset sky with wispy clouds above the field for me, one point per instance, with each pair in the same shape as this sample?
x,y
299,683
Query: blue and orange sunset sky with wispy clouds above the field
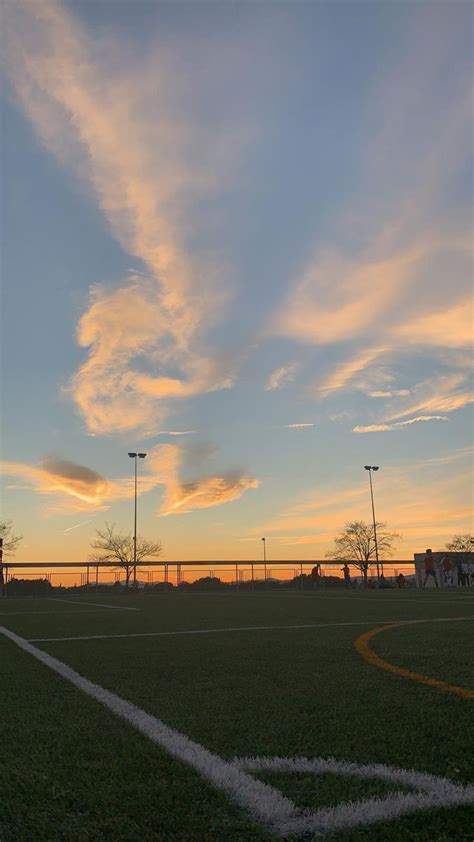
x,y
237,237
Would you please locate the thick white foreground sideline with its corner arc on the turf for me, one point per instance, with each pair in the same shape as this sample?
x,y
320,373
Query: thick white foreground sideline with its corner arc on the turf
x,y
264,802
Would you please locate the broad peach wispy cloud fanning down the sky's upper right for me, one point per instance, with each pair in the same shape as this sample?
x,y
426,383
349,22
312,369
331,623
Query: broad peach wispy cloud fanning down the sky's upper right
x,y
384,273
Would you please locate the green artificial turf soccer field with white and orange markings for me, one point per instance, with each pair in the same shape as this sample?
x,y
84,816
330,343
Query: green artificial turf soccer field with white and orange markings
x,y
238,716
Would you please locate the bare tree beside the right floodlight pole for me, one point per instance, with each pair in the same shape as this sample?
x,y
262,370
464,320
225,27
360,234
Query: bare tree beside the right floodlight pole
x,y
356,545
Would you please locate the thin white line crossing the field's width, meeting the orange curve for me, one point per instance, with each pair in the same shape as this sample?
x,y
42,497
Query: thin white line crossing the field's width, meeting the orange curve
x,y
246,628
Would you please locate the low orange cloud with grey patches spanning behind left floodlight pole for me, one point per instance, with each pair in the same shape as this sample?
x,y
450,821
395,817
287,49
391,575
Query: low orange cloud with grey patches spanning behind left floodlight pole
x,y
77,488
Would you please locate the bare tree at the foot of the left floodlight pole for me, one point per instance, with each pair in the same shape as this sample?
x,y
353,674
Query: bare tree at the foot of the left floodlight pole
x,y
114,546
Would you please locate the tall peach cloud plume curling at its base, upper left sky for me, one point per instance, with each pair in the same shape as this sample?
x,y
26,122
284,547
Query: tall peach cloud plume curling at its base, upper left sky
x,y
145,161
